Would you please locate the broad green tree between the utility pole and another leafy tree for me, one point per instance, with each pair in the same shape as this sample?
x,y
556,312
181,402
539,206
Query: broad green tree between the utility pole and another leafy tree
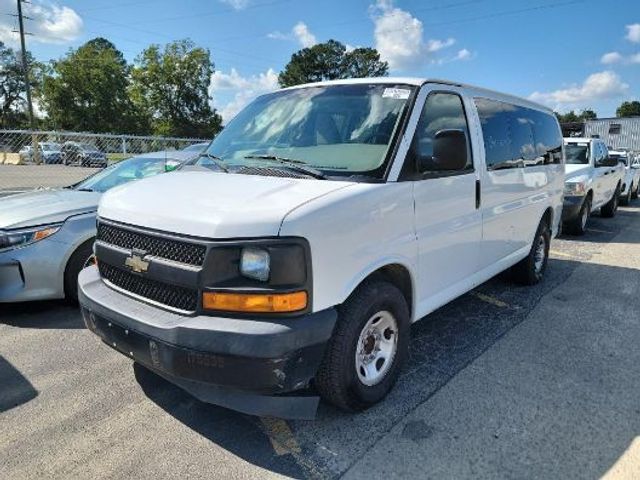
x,y
87,91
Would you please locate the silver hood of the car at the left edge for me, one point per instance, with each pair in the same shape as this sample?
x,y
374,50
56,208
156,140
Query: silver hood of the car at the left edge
x,y
45,206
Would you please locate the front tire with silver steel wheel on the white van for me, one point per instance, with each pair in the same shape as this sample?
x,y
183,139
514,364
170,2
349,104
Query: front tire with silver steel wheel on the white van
x,y
368,348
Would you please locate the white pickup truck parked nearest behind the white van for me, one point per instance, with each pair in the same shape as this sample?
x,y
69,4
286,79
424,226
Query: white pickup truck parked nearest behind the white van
x,y
593,180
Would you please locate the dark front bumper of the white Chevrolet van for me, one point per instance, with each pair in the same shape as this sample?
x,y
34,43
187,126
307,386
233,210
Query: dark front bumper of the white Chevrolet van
x,y
244,364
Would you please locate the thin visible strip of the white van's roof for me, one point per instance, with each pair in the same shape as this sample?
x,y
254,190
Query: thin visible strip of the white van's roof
x,y
419,81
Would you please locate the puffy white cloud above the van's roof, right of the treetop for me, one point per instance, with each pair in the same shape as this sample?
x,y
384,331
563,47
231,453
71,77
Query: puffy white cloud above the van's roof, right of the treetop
x,y
399,38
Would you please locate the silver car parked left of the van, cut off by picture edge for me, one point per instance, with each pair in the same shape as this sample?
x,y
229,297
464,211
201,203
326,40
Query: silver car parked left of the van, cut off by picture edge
x,y
46,236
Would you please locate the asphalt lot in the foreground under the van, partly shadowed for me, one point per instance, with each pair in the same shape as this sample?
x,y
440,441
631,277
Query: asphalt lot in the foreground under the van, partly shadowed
x,y
507,381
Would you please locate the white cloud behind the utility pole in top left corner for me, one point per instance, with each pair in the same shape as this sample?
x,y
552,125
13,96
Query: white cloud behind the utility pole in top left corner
x,y
49,22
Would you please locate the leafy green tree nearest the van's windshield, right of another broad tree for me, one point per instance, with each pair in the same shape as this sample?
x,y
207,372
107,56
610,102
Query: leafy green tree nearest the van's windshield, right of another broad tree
x,y
172,87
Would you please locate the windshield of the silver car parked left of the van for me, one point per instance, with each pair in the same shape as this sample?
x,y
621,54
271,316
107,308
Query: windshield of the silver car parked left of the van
x,y
122,172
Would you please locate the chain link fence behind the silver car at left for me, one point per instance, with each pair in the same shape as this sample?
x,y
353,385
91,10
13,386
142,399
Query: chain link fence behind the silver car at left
x,y
47,159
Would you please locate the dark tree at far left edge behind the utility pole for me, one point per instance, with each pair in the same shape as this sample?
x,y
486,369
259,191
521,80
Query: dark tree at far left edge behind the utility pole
x,y
13,102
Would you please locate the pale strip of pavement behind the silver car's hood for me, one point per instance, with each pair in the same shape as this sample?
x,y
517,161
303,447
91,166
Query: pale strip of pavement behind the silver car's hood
x,y
25,177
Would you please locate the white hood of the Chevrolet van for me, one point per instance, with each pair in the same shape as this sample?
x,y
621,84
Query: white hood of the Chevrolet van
x,y
212,204
